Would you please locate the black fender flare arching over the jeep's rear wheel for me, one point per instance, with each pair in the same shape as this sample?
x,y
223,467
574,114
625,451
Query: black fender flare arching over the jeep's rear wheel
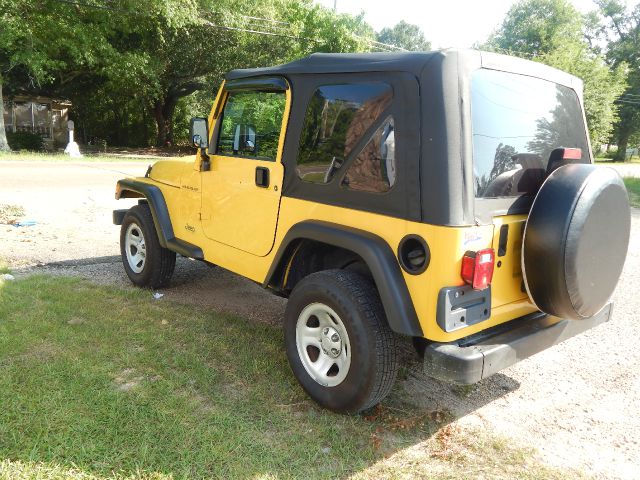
x,y
378,256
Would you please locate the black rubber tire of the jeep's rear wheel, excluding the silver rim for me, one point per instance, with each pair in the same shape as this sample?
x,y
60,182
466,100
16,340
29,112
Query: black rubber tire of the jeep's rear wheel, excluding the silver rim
x,y
373,349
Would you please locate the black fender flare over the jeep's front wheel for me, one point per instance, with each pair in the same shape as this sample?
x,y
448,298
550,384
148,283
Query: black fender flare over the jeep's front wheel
x,y
161,217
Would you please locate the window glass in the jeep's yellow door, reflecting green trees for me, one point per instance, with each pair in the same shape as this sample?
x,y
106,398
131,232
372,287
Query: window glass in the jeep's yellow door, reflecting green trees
x,y
251,125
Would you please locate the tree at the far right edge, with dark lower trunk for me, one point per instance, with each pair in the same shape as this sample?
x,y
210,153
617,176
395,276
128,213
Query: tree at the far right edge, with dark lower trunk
x,y
620,28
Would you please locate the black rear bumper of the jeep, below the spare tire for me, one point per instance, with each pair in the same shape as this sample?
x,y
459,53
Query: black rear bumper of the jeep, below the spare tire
x,y
470,360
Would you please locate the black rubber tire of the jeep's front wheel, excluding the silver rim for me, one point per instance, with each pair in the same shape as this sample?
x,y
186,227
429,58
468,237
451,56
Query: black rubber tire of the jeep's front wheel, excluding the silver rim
x,y
159,263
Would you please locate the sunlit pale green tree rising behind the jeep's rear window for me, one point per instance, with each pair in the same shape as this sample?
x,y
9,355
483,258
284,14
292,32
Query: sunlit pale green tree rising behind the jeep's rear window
x,y
552,32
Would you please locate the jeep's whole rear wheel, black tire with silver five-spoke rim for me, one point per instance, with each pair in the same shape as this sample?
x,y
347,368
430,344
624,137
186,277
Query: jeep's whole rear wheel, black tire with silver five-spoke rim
x,y
338,342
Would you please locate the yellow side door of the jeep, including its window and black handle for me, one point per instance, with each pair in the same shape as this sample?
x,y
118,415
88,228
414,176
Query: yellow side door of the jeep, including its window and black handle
x,y
241,191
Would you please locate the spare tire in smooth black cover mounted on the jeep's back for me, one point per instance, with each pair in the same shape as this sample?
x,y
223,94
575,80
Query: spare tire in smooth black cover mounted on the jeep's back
x,y
575,240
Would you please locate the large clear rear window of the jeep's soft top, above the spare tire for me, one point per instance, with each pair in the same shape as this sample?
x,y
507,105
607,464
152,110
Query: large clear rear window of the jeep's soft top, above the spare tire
x,y
517,121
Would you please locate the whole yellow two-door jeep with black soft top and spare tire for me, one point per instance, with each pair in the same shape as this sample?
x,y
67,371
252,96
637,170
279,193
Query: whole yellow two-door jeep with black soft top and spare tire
x,y
446,196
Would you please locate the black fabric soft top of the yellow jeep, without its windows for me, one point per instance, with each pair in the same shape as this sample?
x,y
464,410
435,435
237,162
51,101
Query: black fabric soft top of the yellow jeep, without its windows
x,y
432,111
